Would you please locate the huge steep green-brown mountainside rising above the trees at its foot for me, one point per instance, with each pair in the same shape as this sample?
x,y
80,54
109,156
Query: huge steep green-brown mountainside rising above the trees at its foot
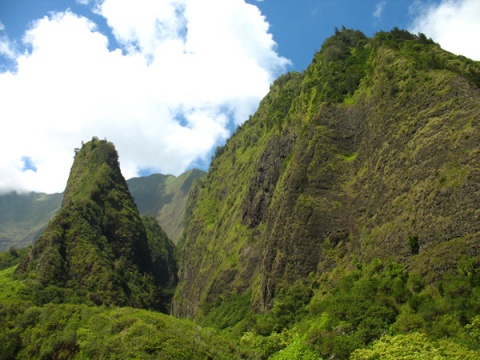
x,y
373,152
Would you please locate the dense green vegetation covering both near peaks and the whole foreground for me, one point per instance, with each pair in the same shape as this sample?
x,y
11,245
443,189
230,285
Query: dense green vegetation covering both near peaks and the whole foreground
x,y
340,221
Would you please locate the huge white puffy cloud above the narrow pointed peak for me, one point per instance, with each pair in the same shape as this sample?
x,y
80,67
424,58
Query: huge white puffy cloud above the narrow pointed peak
x,y
183,73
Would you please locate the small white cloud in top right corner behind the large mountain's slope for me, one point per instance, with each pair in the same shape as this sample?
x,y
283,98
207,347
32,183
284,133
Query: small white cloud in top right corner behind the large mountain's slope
x,y
454,24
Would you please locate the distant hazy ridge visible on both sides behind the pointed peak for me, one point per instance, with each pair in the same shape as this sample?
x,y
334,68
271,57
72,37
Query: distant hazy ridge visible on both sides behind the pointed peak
x,y
23,217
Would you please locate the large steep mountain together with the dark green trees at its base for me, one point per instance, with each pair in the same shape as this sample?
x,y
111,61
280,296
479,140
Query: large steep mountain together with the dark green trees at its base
x,y
347,205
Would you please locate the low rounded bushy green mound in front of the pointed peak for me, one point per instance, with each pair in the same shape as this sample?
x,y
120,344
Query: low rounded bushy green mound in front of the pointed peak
x,y
79,332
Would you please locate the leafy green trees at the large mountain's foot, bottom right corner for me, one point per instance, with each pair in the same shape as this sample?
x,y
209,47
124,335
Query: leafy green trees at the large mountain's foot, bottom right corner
x,y
381,299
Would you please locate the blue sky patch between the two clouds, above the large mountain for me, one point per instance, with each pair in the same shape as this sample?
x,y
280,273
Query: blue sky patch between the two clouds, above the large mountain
x,y
300,27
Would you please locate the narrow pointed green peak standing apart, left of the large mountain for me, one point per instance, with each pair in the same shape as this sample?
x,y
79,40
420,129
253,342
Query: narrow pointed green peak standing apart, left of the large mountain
x,y
96,248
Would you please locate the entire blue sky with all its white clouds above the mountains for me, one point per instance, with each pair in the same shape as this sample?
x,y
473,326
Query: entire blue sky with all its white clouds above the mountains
x,y
167,81
